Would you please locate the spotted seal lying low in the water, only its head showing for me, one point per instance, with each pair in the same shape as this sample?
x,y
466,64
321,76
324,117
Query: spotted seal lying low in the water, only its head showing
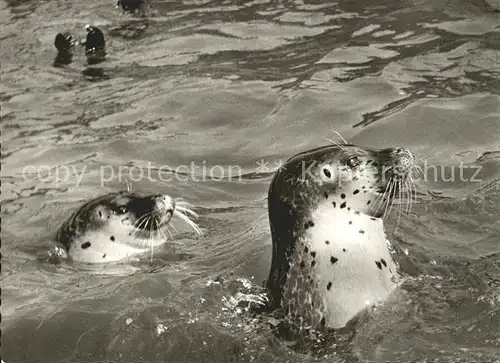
x,y
120,225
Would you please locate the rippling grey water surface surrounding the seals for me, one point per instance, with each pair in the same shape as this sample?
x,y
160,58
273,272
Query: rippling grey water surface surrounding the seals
x,y
236,87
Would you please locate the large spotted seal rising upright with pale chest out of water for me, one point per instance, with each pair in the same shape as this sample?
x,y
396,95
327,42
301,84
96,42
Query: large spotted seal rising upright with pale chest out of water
x,y
330,256
